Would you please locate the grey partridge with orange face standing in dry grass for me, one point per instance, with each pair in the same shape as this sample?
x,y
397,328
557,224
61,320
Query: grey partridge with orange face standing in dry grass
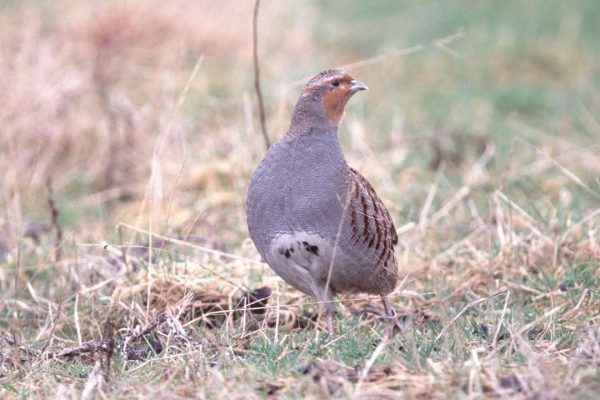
x,y
316,221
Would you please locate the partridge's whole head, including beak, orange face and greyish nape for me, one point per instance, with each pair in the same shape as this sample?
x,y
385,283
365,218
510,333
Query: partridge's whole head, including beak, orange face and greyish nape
x,y
325,96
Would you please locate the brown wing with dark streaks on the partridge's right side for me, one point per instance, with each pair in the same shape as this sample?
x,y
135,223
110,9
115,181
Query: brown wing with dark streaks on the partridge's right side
x,y
370,221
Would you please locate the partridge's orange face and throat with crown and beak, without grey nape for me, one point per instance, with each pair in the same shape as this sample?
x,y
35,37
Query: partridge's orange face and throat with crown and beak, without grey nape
x,y
336,87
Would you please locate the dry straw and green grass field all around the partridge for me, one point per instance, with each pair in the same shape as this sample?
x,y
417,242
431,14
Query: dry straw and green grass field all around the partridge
x,y
483,142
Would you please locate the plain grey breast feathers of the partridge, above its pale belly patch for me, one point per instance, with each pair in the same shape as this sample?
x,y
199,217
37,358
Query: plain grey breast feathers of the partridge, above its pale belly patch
x,y
299,186
